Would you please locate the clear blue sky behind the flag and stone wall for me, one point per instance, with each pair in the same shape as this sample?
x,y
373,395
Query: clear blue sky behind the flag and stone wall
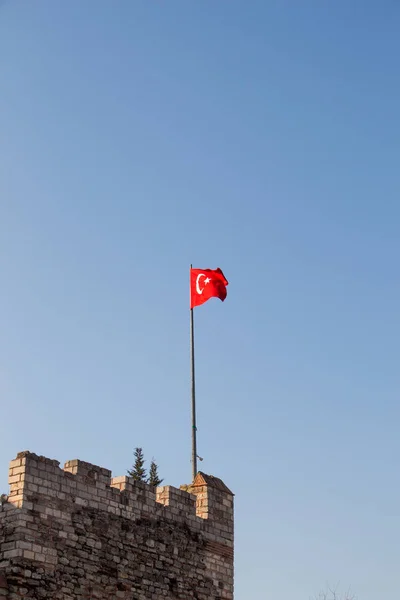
x,y
263,137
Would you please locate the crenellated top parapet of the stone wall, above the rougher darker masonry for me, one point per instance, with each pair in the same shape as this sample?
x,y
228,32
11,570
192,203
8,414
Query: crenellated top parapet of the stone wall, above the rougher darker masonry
x,y
207,503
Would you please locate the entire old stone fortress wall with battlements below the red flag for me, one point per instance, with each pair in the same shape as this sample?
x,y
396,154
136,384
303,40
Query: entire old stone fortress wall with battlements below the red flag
x,y
77,533
